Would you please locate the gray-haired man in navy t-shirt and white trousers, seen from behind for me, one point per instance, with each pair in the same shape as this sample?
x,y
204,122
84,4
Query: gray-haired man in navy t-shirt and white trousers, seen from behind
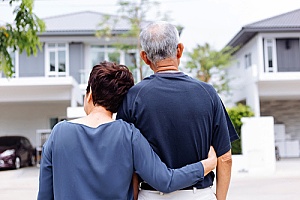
x,y
179,116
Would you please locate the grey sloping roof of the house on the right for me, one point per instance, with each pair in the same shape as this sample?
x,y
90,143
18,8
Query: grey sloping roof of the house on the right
x,y
287,22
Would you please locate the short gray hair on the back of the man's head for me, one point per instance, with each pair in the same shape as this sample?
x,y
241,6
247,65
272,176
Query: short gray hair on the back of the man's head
x,y
159,40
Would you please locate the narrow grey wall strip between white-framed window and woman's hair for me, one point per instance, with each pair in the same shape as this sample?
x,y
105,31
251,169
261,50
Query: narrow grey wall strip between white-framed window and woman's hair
x,y
76,60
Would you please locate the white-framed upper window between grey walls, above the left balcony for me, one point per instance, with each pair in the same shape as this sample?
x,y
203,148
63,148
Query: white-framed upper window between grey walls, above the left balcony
x,y
56,57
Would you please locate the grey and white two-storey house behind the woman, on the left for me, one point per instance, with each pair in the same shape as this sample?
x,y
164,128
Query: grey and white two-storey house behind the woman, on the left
x,y
44,86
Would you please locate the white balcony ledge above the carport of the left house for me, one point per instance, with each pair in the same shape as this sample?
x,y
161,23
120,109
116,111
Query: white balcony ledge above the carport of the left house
x,y
40,89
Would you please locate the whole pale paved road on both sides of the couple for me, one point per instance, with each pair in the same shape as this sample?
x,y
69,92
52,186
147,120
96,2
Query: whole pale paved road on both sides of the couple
x,y
22,184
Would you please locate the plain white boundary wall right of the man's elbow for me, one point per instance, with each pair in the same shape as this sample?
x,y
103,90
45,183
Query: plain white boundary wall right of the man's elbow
x,y
258,147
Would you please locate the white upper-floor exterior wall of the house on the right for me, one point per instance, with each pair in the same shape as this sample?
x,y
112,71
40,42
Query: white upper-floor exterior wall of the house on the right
x,y
253,84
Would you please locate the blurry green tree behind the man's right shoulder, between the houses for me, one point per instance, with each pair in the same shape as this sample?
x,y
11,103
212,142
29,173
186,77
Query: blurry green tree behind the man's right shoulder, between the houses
x,y
209,65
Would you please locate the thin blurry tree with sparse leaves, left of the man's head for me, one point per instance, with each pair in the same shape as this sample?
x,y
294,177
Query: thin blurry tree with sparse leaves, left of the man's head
x,y
134,12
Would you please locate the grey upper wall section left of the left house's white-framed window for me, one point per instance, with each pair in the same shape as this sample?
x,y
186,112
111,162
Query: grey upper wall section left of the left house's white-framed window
x,y
32,66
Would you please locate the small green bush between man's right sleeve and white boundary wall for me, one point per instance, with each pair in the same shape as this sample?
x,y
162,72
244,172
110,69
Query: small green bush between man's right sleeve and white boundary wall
x,y
236,114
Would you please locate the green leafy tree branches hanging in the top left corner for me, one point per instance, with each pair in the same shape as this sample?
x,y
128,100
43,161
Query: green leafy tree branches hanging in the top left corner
x,y
21,36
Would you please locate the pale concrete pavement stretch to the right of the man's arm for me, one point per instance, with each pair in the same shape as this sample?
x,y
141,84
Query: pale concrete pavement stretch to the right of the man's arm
x,y
284,184
